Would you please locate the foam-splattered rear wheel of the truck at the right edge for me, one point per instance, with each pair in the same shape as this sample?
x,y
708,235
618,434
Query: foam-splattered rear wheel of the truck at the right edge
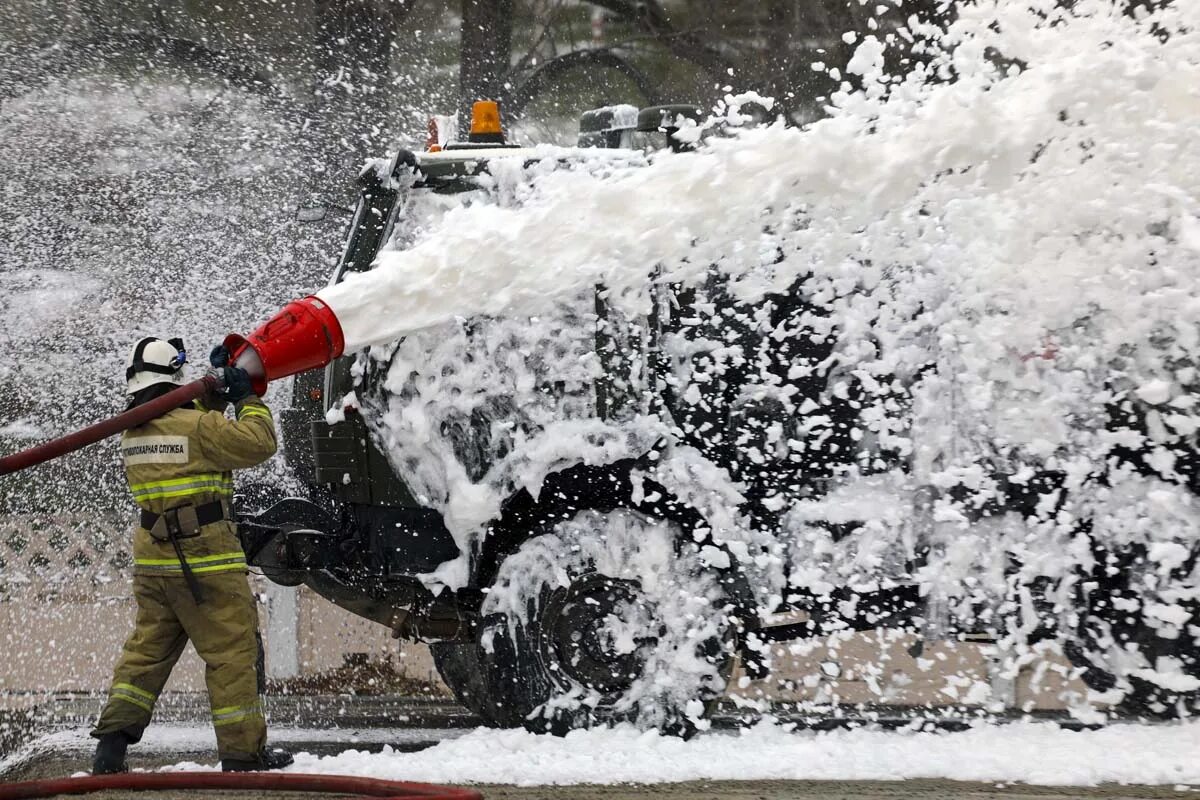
x,y
1138,647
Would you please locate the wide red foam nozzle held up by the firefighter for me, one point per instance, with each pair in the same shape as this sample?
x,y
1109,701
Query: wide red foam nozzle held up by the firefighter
x,y
304,335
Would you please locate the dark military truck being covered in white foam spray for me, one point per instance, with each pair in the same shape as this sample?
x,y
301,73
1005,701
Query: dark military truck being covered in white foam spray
x,y
667,490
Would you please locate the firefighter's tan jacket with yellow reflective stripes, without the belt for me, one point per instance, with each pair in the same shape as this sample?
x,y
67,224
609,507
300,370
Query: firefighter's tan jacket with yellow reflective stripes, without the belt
x,y
188,458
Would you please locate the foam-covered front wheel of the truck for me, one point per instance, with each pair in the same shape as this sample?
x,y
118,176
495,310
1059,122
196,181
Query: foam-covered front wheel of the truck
x,y
608,617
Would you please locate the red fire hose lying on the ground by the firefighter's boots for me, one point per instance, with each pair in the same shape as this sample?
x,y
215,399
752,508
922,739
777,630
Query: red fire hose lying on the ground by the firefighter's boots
x,y
333,785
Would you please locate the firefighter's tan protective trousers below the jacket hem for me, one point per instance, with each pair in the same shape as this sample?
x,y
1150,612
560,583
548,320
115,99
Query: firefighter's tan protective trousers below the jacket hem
x,y
225,631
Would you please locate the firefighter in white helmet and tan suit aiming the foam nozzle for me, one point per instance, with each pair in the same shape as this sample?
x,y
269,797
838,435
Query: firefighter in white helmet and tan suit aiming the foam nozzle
x,y
189,568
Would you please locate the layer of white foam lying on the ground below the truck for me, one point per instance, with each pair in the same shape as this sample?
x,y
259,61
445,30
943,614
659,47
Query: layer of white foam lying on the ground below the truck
x,y
1024,753
